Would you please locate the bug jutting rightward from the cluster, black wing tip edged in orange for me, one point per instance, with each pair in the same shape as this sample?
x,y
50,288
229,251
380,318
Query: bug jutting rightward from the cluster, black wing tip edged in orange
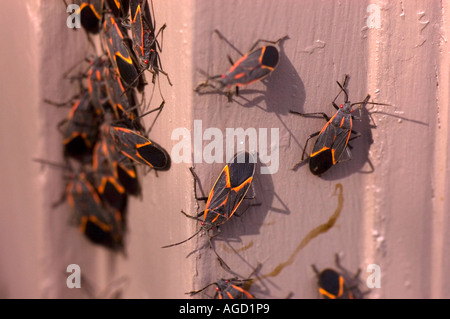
x,y
139,148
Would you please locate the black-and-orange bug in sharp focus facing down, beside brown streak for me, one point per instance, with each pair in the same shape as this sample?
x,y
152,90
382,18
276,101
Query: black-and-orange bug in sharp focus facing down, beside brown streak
x,y
225,197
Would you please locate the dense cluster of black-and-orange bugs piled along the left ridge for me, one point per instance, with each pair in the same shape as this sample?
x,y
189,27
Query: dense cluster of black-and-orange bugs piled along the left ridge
x,y
104,137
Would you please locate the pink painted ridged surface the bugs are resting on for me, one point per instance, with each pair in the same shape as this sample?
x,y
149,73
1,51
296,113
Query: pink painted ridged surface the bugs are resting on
x,y
393,214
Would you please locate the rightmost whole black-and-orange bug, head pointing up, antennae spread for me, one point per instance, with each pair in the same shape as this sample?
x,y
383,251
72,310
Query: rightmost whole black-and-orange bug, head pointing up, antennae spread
x,y
332,141
